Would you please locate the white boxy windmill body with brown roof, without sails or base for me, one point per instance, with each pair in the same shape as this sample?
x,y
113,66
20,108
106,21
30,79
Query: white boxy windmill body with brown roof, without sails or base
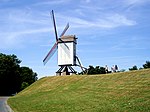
x,y
67,51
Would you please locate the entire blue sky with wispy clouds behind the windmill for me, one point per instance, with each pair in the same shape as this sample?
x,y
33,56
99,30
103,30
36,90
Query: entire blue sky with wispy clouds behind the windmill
x,y
109,32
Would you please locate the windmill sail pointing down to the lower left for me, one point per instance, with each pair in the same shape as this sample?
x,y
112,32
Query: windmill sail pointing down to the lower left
x,y
50,53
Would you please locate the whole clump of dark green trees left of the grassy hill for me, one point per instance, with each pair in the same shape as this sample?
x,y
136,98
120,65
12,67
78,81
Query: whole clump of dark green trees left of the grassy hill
x,y
13,77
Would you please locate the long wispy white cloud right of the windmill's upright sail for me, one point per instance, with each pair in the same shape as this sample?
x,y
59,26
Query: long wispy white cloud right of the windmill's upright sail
x,y
109,21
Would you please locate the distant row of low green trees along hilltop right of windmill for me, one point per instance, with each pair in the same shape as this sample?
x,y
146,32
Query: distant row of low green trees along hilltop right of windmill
x,y
102,70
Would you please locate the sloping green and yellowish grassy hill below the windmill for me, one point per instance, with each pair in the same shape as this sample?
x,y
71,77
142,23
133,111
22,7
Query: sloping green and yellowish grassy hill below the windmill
x,y
118,92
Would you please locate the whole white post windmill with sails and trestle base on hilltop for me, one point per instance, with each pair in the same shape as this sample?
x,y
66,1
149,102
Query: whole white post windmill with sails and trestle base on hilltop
x,y
66,46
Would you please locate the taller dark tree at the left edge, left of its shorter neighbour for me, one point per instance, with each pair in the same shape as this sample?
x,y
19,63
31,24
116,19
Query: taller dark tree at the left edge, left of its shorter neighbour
x,y
9,74
